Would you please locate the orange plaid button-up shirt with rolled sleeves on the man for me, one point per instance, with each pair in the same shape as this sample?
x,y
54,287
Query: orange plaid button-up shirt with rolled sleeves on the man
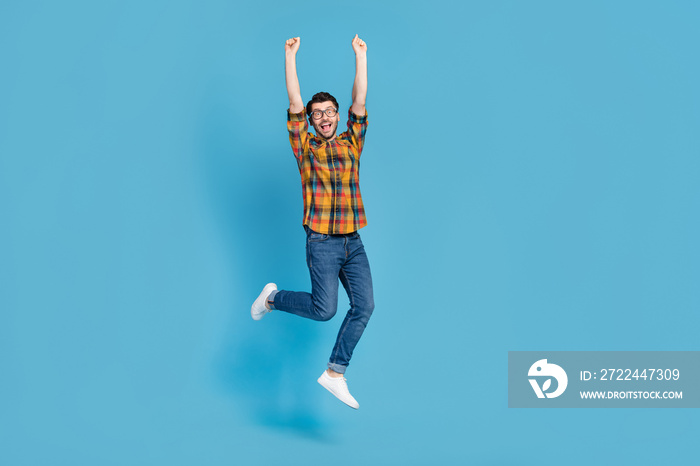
x,y
330,176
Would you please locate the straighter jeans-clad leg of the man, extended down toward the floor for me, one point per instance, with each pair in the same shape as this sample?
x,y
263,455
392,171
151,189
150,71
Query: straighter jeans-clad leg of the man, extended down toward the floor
x,y
356,277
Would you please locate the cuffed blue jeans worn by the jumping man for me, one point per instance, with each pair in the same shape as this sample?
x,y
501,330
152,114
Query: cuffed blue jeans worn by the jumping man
x,y
330,257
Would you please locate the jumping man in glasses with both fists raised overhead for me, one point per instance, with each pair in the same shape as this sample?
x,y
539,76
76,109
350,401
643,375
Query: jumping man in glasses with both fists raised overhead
x,y
333,212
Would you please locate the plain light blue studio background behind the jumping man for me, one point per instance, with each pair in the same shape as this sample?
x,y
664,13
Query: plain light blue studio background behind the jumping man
x,y
531,182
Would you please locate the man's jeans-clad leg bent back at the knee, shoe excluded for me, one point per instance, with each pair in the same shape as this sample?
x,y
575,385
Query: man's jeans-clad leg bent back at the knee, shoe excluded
x,y
325,255
